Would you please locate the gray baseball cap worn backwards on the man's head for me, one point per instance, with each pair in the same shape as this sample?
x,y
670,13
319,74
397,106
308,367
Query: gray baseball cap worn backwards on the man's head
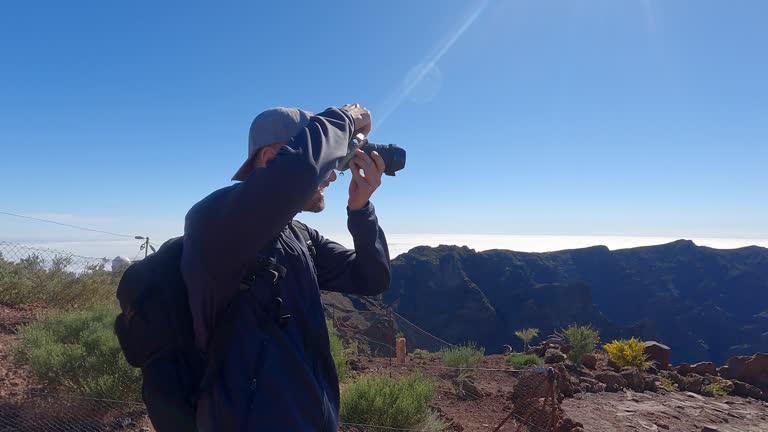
x,y
270,127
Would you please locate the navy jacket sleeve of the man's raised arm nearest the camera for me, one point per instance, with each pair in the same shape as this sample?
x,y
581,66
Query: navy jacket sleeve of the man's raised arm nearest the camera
x,y
223,229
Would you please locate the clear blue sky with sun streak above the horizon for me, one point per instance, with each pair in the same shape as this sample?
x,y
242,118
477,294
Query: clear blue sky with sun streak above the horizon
x,y
620,118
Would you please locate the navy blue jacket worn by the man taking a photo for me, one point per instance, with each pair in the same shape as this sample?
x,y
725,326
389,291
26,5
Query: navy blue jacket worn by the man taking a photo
x,y
268,378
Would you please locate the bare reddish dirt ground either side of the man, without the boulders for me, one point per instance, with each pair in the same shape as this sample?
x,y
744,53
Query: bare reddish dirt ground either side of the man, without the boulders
x,y
26,406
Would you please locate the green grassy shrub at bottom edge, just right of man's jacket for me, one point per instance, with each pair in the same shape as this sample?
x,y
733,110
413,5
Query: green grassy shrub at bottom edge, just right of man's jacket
x,y
388,402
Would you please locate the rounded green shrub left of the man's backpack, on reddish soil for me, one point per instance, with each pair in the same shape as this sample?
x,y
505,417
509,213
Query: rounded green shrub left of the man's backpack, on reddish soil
x,y
79,351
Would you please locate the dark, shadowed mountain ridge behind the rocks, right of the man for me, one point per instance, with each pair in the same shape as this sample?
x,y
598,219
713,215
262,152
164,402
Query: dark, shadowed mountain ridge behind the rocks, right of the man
x,y
706,303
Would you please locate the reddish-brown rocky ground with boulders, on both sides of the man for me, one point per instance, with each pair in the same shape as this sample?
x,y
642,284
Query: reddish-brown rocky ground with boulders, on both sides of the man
x,y
596,397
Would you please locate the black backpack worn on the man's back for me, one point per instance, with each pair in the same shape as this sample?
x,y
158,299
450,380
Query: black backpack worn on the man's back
x,y
156,334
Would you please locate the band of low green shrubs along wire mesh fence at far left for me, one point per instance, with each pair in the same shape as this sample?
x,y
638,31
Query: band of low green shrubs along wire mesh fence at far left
x,y
32,281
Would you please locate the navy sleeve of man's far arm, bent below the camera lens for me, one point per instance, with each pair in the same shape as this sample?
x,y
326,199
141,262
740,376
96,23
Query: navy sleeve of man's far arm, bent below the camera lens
x,y
362,271
